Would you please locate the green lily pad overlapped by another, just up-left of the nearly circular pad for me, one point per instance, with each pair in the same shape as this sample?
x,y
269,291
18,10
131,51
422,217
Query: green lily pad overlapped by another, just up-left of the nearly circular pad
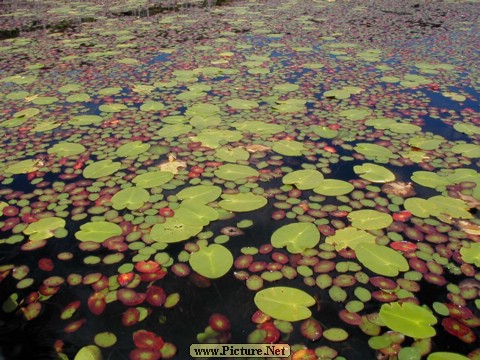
x,y
172,231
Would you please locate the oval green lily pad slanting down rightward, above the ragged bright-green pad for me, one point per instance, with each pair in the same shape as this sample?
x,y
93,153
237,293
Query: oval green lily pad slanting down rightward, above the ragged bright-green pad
x,y
380,259
